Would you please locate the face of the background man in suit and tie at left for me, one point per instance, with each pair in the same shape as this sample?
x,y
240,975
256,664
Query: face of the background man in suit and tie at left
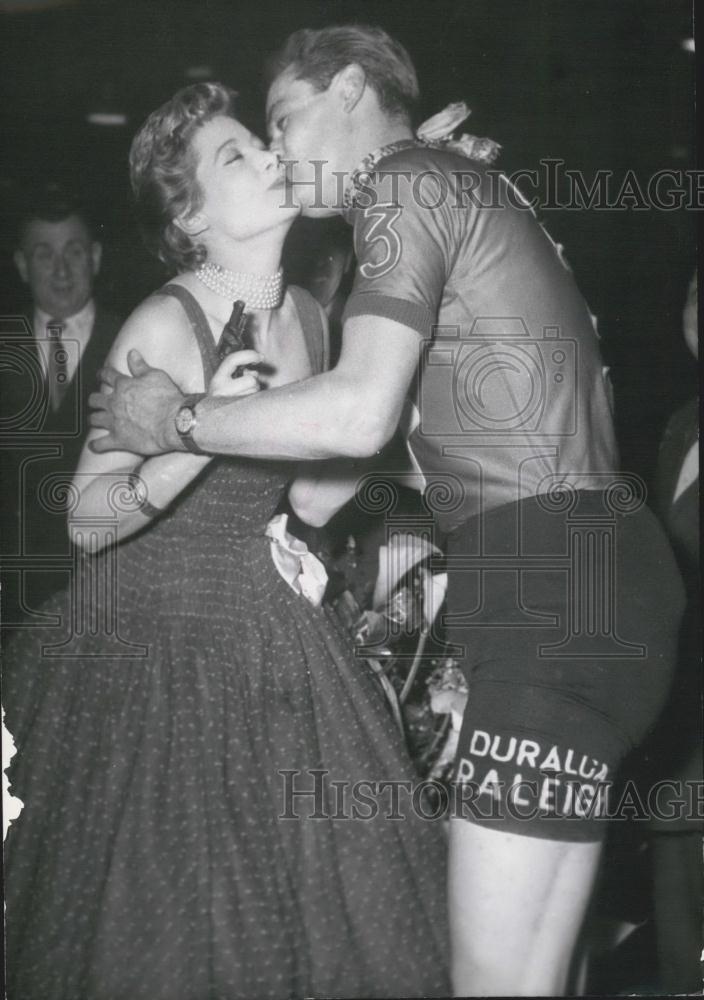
x,y
58,260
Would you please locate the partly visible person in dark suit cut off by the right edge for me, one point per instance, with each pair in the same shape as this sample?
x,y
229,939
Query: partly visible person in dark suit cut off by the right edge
x,y
675,749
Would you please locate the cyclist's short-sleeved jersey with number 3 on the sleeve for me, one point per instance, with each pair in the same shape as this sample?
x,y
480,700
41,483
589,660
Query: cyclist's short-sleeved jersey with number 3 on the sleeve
x,y
510,396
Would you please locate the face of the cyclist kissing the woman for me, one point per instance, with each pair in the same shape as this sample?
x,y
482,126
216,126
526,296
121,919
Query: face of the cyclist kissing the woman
x,y
307,125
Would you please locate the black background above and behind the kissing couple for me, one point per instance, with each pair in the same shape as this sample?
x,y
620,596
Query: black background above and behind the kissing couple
x,y
596,83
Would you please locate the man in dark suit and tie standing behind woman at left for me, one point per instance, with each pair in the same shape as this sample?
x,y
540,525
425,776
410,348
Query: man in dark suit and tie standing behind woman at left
x,y
51,352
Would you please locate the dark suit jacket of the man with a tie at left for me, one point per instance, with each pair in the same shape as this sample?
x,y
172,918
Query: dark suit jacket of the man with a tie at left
x,y
39,449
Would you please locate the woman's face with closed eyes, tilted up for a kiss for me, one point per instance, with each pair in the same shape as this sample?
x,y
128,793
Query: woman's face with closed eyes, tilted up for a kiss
x,y
243,186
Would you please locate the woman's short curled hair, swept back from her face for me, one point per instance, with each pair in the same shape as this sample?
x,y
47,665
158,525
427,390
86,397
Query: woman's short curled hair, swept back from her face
x,y
163,169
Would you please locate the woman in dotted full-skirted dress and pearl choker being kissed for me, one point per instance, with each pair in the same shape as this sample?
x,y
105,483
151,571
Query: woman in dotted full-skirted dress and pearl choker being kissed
x,y
198,766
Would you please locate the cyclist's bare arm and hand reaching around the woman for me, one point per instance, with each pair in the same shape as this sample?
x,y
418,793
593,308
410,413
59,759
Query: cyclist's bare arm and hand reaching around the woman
x,y
350,411
